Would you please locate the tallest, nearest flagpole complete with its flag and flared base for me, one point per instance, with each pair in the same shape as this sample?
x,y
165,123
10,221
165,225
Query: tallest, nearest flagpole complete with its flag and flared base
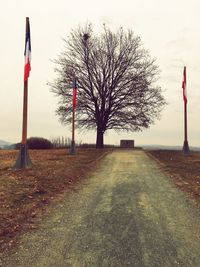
x,y
23,160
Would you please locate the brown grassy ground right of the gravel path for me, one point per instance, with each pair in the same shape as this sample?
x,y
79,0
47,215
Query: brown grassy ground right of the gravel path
x,y
184,171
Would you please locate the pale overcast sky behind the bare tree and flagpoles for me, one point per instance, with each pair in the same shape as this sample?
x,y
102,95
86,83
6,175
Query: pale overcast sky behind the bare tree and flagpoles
x,y
170,30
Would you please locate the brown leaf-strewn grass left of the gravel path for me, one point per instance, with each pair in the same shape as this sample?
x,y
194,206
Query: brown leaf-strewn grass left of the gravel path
x,y
24,193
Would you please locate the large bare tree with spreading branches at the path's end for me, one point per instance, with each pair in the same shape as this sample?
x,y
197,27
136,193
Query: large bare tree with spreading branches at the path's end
x,y
116,82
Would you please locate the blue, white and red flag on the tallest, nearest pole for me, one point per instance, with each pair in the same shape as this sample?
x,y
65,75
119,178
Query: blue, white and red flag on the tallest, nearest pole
x,y
27,51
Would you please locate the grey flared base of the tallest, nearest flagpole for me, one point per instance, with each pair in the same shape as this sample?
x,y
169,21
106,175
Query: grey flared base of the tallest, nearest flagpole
x,y
23,160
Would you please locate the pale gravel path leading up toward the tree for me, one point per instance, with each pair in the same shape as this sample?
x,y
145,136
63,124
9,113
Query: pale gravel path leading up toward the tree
x,y
127,214
